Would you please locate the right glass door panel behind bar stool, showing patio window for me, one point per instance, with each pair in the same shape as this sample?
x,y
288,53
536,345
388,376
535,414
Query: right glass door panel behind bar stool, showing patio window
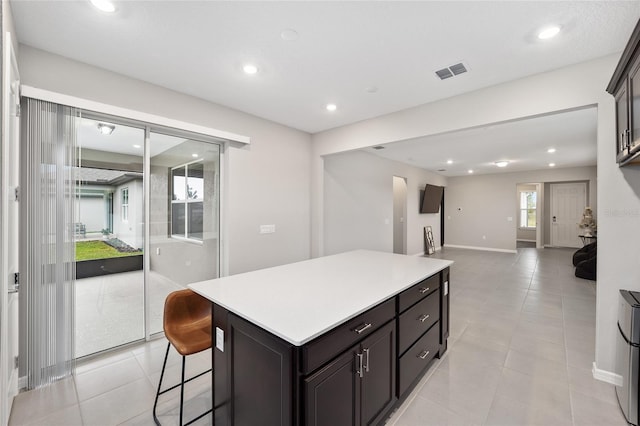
x,y
183,217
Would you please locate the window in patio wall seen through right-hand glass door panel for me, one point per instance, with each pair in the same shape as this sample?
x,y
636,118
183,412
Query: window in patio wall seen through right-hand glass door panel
x,y
187,201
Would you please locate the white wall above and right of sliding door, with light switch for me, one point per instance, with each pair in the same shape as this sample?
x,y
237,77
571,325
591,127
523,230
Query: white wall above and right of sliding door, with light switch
x,y
267,182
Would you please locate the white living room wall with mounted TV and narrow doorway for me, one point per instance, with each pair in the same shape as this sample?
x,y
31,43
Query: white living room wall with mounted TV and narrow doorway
x,y
358,203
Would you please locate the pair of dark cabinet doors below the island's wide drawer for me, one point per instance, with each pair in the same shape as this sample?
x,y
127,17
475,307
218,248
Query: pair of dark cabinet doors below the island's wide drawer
x,y
356,388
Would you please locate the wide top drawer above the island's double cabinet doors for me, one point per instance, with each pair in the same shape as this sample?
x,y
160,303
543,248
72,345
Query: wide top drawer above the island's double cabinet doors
x,y
334,342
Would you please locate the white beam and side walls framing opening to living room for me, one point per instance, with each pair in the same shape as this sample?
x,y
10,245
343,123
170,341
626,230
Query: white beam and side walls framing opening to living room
x,y
571,87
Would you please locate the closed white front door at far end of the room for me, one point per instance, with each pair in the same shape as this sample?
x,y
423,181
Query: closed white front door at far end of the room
x,y
568,201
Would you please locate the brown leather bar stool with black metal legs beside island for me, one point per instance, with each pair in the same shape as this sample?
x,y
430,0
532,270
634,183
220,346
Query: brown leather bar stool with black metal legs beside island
x,y
187,326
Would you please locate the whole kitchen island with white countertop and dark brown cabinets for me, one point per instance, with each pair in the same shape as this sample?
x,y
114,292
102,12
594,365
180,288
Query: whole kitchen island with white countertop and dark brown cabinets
x,y
336,340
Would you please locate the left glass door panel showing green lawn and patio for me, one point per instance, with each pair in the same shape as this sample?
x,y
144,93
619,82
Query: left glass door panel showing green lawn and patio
x,y
109,235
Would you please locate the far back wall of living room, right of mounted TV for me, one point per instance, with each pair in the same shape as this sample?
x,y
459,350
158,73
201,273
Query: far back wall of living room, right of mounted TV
x,y
478,206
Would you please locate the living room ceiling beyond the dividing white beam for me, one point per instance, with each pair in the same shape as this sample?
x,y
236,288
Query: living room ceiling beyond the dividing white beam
x,y
523,143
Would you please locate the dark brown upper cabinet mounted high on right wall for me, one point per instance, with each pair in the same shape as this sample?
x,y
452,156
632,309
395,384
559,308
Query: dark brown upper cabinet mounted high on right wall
x,y
625,87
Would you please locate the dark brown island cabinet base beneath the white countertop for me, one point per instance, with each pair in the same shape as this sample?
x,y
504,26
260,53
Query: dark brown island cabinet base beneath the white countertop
x,y
354,374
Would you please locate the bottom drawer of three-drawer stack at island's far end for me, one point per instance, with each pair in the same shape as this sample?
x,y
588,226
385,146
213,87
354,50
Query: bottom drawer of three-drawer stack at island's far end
x,y
414,361
